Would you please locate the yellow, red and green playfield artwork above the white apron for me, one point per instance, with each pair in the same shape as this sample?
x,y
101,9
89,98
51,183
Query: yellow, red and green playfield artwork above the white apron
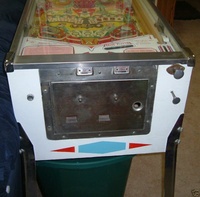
x,y
89,22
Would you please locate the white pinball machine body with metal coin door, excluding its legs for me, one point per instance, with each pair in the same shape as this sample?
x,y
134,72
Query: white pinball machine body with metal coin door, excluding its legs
x,y
97,78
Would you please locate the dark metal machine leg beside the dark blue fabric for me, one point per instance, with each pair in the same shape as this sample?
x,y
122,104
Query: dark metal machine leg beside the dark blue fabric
x,y
29,182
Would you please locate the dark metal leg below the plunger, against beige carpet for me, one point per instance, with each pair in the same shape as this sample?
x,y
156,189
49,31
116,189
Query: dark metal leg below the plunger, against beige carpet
x,y
170,158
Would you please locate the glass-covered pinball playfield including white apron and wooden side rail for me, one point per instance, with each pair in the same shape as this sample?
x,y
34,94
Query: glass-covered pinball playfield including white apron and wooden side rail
x,y
93,26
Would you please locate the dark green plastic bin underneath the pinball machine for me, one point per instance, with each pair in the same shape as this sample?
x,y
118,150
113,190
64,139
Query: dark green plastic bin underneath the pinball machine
x,y
94,177
